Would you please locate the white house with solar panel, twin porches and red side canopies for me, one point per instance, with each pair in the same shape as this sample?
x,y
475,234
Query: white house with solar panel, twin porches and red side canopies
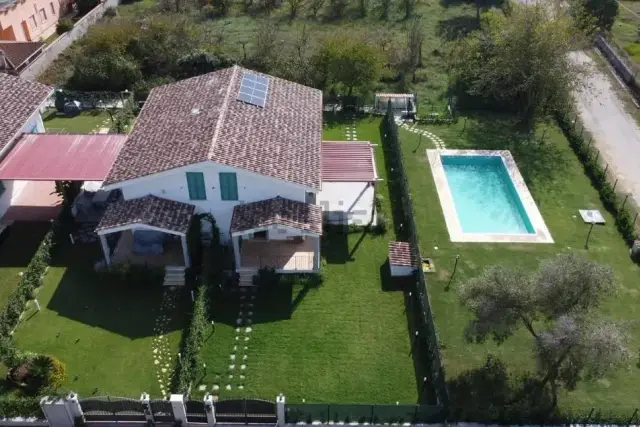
x,y
243,146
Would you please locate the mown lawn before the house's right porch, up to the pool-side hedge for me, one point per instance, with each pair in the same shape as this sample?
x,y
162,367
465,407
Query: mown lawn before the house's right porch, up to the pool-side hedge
x,y
345,340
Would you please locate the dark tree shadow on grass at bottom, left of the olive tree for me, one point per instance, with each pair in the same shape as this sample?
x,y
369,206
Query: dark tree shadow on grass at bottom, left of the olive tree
x,y
490,394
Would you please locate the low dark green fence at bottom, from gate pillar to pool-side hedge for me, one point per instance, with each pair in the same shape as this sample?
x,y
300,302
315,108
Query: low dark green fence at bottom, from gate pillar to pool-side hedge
x,y
362,413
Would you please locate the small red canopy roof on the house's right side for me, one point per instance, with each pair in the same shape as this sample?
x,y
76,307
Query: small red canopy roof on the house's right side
x,y
348,161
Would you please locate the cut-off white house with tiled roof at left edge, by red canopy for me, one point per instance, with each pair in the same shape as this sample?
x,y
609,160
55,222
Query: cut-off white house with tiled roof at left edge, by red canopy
x,y
20,105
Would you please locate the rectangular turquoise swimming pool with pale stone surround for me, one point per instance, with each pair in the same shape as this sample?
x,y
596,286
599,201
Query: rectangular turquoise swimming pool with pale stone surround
x,y
484,198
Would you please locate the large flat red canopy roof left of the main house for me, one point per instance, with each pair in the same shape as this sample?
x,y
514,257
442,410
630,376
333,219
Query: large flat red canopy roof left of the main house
x,y
62,157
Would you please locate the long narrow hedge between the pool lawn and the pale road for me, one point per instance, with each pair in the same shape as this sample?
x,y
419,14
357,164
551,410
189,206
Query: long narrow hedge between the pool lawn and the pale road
x,y
593,169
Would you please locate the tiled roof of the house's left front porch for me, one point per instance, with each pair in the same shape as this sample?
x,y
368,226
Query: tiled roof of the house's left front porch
x,y
148,210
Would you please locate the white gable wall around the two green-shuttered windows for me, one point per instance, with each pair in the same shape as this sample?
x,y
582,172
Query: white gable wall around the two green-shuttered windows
x,y
173,185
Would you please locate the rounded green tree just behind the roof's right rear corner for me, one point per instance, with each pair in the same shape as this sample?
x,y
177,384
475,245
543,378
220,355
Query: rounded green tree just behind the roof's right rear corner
x,y
348,61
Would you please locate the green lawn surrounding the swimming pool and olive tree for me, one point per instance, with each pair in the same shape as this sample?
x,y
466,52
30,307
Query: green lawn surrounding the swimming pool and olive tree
x,y
559,187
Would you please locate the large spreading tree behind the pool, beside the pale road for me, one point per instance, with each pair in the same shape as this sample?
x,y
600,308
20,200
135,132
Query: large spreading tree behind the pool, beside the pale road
x,y
520,62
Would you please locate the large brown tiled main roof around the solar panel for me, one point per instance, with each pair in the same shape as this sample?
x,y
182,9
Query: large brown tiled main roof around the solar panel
x,y
200,119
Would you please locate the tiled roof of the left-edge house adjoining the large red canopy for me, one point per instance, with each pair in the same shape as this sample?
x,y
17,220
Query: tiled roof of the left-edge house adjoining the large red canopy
x,y
19,99
